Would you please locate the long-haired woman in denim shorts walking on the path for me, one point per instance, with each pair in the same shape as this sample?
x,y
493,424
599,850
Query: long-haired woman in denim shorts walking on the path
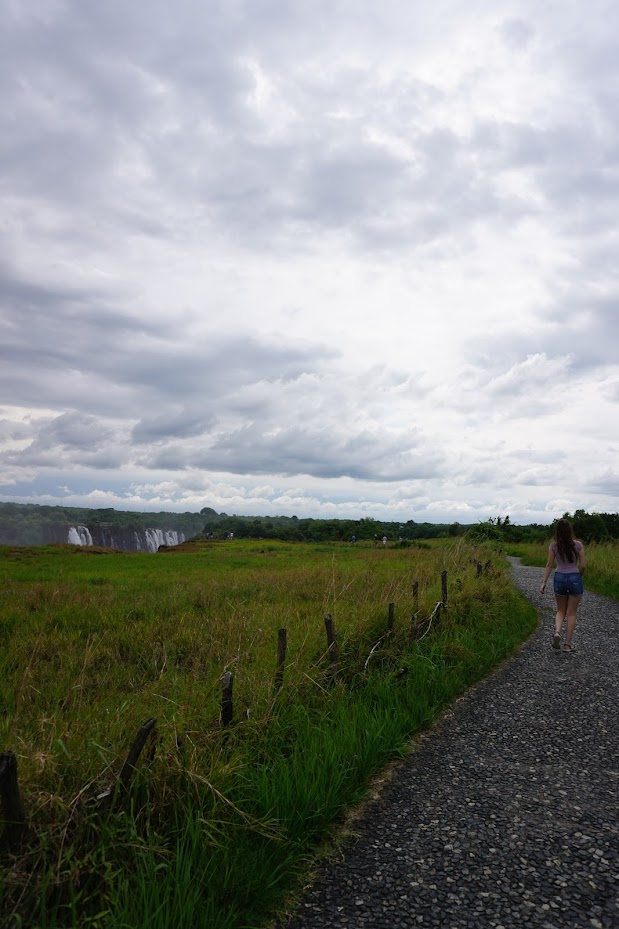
x,y
569,555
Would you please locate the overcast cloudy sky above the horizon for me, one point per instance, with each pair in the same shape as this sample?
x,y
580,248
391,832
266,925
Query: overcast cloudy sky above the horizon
x,y
313,257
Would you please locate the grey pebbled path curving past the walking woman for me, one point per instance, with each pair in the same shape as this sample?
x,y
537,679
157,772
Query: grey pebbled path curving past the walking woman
x,y
507,813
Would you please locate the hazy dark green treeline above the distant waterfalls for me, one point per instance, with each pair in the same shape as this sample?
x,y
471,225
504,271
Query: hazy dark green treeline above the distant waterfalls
x,y
32,524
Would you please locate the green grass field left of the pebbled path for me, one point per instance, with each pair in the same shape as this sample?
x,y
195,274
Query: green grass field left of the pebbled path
x,y
219,825
